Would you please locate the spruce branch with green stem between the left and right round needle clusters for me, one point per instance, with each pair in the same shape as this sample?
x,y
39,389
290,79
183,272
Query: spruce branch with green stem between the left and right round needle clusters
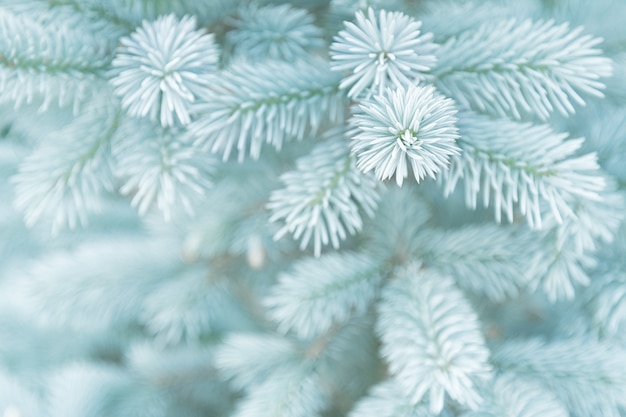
x,y
248,105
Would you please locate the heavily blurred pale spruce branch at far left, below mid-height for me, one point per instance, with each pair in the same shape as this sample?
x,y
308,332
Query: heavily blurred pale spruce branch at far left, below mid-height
x,y
102,282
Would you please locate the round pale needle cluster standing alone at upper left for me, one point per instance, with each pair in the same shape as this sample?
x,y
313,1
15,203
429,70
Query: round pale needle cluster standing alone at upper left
x,y
160,68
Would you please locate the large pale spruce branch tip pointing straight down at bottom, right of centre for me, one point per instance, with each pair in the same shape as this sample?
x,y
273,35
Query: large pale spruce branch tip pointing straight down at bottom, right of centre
x,y
431,339
